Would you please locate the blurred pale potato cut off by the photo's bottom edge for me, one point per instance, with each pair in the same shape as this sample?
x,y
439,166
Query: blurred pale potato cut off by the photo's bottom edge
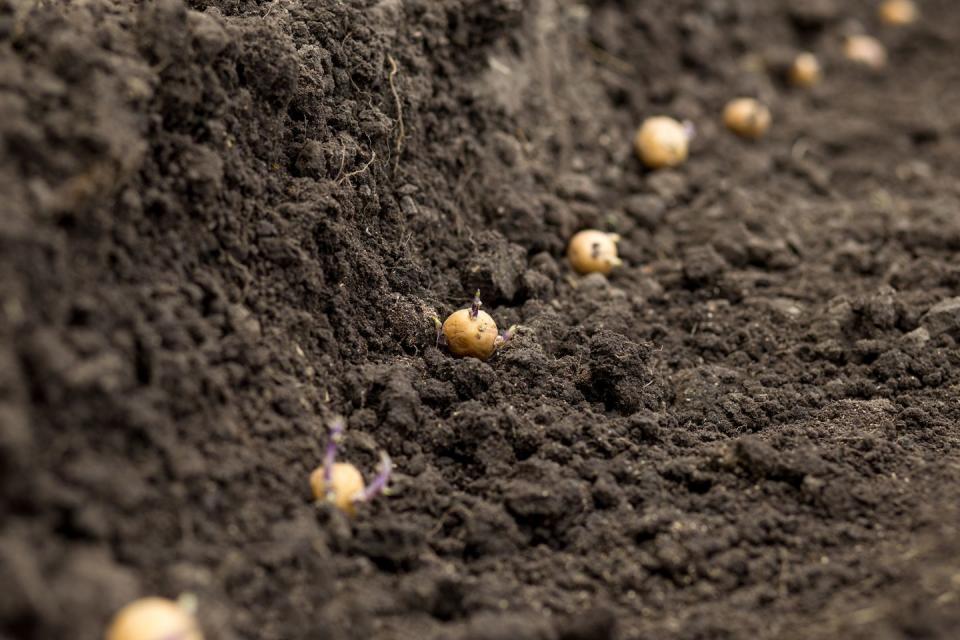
x,y
153,619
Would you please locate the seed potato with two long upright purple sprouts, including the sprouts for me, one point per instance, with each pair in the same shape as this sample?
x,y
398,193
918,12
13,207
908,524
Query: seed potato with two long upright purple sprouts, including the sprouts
x,y
341,483
